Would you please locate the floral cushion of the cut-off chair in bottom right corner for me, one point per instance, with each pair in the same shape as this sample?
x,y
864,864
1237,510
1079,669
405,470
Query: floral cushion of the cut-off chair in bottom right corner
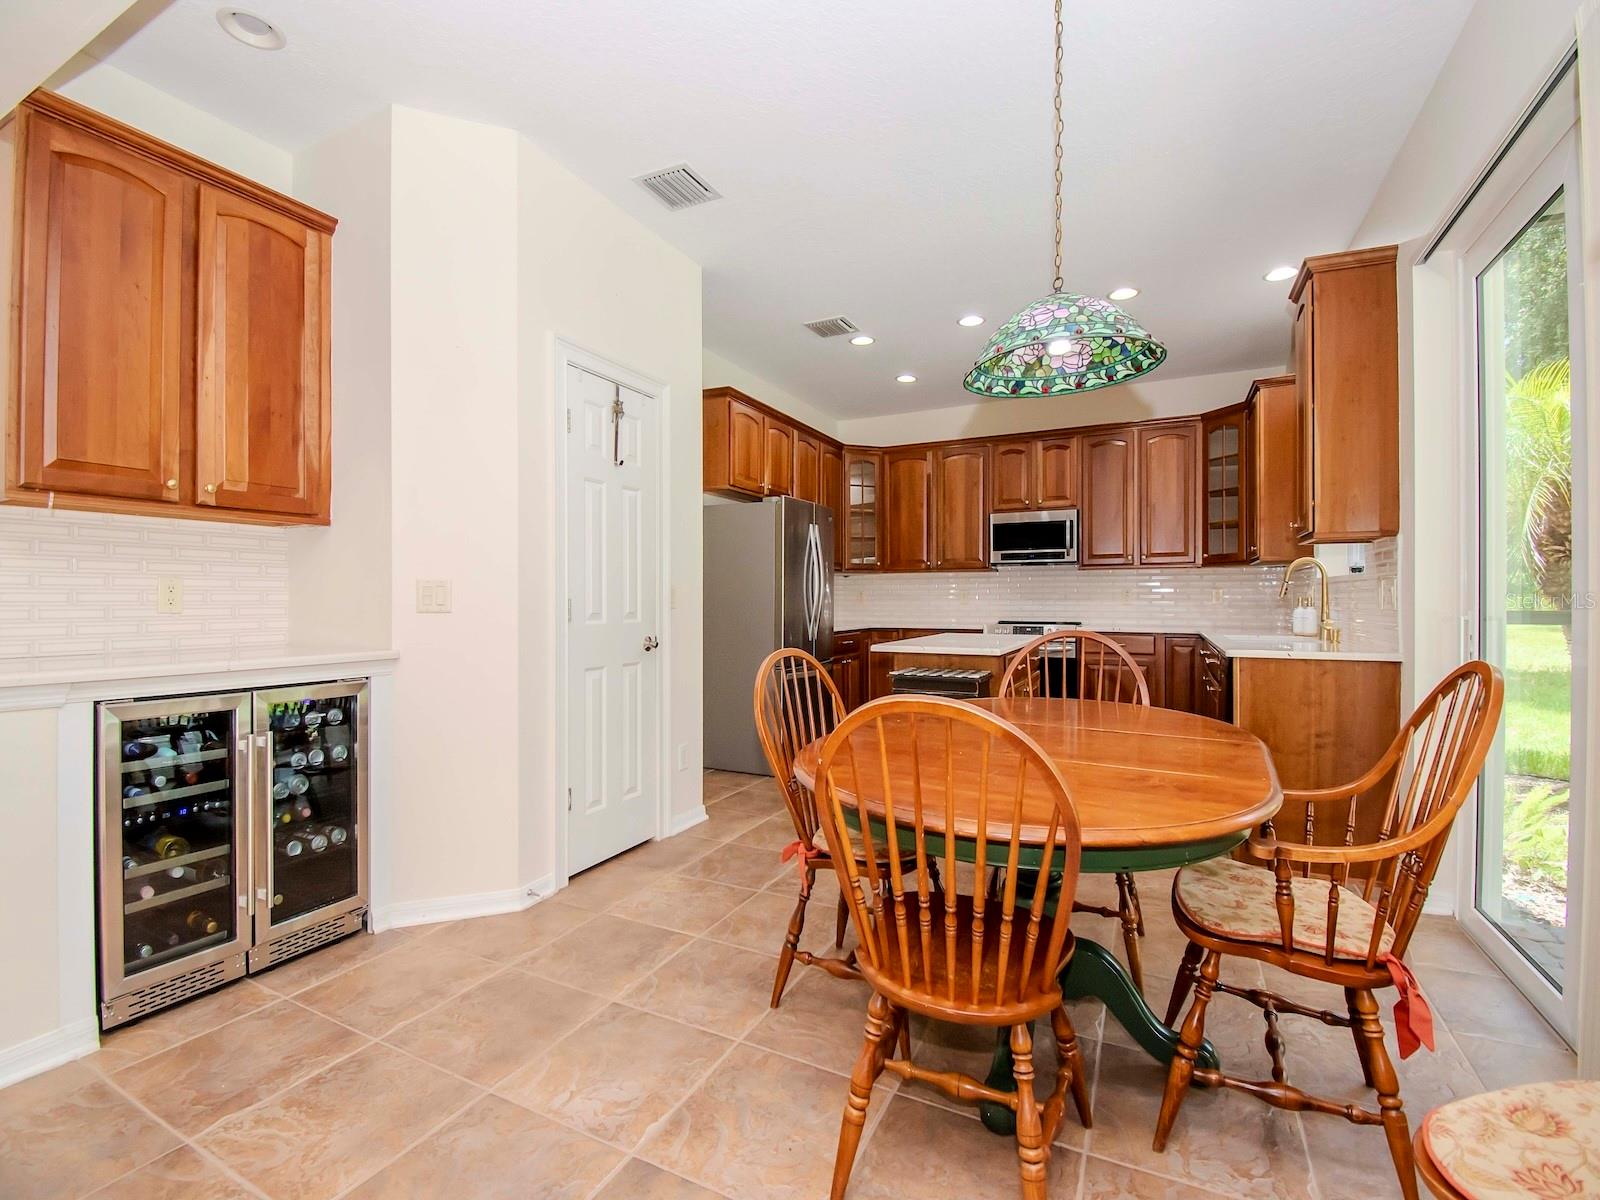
x,y
1542,1140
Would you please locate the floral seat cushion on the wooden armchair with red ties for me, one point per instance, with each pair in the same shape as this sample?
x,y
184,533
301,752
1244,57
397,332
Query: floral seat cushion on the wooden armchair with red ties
x,y
1239,902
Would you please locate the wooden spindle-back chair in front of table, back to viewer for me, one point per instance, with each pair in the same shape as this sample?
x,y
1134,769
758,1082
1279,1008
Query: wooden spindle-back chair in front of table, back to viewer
x,y
988,953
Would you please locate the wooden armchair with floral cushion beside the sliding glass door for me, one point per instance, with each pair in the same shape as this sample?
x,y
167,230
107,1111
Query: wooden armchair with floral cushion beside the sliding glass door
x,y
1348,926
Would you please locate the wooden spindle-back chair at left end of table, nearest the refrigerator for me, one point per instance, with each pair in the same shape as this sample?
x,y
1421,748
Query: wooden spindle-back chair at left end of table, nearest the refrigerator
x,y
796,705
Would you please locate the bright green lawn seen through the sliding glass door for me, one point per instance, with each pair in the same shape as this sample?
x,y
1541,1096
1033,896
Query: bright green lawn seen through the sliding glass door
x,y
1538,702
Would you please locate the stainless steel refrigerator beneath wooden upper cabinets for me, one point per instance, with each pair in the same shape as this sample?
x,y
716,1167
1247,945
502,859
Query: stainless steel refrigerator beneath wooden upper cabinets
x,y
769,585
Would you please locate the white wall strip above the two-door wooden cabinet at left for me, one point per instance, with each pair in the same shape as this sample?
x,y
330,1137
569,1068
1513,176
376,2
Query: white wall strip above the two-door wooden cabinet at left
x,y
145,108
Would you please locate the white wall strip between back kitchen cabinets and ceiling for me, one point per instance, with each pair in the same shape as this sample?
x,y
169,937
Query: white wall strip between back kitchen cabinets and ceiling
x,y
1140,401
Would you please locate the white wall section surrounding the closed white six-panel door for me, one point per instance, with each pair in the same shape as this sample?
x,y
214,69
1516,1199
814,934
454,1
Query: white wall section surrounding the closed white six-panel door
x,y
594,278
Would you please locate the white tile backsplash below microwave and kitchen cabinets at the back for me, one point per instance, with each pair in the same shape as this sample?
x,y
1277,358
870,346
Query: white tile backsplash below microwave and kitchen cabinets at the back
x,y
1210,599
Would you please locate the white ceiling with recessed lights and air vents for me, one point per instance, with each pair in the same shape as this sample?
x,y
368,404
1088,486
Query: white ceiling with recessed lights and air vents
x,y
890,161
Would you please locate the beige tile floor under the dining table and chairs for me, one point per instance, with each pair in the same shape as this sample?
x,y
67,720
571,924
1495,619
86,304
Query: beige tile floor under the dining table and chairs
x,y
617,1042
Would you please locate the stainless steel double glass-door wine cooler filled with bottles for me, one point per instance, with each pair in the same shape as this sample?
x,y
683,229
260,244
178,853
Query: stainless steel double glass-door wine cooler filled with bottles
x,y
233,836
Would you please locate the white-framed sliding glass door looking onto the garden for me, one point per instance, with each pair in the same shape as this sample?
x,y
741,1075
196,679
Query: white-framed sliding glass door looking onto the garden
x,y
1522,281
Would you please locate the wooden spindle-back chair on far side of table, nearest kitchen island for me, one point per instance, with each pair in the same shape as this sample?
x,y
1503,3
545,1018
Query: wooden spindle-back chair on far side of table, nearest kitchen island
x,y
1106,673
